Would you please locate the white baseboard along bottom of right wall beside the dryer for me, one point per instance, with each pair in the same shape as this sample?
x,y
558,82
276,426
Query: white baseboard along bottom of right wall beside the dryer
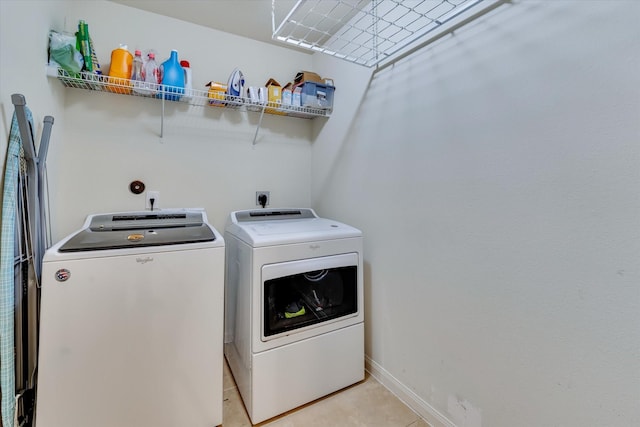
x,y
412,400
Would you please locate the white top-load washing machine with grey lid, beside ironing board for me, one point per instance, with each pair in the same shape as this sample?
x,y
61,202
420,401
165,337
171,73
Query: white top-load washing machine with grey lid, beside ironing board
x,y
131,325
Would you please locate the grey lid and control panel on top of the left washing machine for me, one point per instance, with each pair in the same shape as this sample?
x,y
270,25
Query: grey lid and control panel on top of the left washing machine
x,y
138,229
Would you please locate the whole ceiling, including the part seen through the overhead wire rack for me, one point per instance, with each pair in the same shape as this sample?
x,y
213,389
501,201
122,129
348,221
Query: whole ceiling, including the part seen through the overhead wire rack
x,y
361,31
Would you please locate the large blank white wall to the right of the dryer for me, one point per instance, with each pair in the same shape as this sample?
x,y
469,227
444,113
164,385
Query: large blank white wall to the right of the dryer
x,y
496,177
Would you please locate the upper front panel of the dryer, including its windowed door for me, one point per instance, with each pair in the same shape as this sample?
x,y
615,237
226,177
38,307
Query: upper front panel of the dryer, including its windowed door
x,y
276,269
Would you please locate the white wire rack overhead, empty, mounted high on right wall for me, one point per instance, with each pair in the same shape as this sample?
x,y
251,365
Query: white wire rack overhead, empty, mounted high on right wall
x,y
365,32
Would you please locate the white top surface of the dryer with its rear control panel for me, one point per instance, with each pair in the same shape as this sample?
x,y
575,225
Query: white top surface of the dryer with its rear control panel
x,y
275,227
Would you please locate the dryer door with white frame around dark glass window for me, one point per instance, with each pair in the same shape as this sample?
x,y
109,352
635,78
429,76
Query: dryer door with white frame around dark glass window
x,y
301,295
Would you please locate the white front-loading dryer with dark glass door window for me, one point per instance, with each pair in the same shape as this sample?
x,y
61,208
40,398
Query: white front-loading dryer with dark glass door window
x,y
294,328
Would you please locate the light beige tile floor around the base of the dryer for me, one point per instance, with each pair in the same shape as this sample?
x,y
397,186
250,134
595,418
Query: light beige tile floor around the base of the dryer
x,y
365,404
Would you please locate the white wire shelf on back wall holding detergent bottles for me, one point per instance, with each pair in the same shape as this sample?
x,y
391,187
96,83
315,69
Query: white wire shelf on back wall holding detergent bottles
x,y
94,82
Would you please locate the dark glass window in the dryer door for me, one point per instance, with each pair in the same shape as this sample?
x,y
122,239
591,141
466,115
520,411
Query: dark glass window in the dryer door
x,y
309,297
